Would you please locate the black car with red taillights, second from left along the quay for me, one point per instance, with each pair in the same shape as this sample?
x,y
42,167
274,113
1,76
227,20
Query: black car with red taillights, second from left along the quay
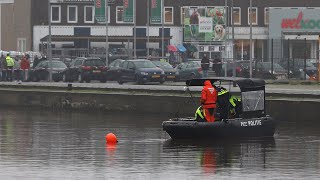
x,y
85,69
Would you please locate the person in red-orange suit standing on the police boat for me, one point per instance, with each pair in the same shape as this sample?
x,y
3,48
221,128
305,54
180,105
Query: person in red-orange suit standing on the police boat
x,y
208,100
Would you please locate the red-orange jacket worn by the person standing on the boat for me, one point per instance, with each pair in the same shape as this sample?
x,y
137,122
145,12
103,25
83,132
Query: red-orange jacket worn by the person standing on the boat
x,y
208,95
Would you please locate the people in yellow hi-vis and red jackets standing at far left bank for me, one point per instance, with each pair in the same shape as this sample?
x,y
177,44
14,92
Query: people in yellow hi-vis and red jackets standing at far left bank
x,y
14,69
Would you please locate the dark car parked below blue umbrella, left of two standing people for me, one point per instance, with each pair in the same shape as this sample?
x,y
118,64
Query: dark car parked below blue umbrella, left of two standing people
x,y
189,70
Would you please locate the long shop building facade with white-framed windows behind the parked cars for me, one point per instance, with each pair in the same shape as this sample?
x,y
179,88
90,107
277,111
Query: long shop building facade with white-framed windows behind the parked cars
x,y
74,22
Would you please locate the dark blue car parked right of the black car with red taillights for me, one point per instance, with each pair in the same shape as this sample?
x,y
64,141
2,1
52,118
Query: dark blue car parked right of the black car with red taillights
x,y
140,71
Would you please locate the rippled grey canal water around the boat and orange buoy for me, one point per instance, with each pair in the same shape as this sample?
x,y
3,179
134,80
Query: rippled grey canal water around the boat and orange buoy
x,y
64,145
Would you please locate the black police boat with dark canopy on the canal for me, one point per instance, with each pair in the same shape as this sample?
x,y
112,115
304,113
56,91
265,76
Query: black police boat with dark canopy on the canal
x,y
252,121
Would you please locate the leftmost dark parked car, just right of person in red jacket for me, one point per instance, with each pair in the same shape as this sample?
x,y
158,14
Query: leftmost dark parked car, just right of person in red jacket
x,y
41,71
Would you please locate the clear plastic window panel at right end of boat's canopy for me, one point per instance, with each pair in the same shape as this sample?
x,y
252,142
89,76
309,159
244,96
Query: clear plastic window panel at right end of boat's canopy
x,y
252,101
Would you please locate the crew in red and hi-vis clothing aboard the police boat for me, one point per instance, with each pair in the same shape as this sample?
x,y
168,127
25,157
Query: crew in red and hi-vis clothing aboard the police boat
x,y
217,101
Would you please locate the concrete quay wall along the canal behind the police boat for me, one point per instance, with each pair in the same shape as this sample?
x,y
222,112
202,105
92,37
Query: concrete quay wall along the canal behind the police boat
x,y
173,103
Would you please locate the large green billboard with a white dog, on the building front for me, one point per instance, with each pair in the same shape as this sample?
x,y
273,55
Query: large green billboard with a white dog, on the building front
x,y
204,24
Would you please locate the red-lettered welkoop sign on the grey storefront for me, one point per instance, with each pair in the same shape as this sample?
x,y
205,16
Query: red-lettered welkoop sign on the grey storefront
x,y
300,23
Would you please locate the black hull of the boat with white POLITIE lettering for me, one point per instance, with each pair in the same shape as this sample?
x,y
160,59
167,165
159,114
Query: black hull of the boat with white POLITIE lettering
x,y
233,128
